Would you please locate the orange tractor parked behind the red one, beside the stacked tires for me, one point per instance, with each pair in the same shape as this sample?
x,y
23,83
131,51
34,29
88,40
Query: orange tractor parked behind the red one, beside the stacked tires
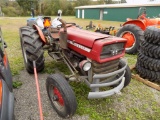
x,y
132,30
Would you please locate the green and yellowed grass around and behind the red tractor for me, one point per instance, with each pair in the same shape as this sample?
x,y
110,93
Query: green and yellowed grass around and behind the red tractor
x,y
136,102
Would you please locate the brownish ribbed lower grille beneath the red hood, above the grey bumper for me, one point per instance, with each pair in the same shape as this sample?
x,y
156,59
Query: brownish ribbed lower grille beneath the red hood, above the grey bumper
x,y
105,68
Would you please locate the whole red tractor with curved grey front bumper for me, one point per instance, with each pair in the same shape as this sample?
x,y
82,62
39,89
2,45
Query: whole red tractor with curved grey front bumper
x,y
91,57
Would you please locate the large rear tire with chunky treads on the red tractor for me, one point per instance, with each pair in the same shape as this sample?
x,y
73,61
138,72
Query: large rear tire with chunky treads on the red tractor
x,y
32,50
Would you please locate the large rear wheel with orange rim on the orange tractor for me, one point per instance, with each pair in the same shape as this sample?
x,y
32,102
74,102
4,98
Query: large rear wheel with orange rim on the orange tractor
x,y
134,35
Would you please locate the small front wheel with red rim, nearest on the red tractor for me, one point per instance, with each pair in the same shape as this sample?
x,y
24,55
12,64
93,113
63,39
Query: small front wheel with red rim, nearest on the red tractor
x,y
61,95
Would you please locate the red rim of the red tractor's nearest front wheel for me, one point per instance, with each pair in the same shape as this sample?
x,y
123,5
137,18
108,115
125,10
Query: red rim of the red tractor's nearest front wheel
x,y
56,98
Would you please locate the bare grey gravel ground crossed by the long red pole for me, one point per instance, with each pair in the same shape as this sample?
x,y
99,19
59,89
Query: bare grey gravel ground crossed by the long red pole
x,y
26,104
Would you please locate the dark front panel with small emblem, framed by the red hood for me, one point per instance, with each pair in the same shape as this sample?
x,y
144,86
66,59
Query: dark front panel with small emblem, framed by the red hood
x,y
112,50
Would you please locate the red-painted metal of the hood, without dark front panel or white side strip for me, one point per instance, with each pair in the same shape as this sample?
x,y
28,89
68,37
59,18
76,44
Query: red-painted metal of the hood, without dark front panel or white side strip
x,y
94,41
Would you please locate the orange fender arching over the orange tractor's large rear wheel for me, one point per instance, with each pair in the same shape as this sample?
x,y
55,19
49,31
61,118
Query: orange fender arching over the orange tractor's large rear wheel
x,y
139,23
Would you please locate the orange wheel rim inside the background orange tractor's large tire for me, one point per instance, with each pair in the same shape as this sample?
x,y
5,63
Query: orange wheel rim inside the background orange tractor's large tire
x,y
130,39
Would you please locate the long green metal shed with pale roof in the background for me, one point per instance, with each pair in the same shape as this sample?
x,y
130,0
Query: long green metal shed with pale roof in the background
x,y
116,12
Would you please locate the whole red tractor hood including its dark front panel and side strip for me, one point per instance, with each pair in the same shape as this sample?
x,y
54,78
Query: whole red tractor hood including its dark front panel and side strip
x,y
95,46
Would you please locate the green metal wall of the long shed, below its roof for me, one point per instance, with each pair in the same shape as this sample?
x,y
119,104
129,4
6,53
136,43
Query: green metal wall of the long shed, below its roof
x,y
117,14
